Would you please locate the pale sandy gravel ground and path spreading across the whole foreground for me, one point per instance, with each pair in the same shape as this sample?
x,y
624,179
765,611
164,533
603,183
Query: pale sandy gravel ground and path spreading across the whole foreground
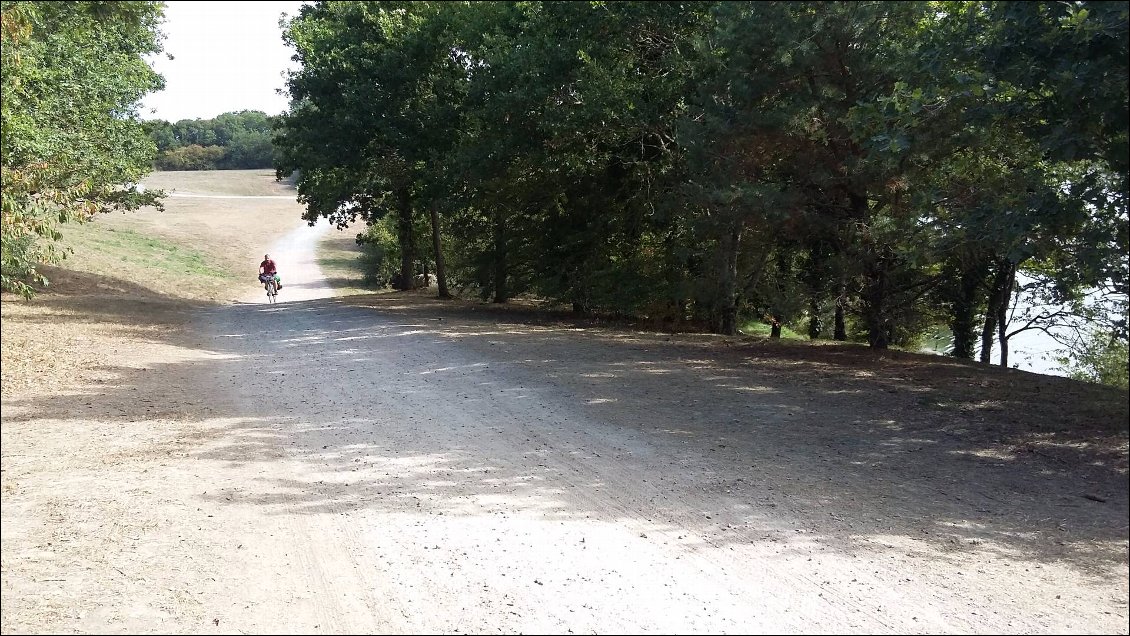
x,y
396,465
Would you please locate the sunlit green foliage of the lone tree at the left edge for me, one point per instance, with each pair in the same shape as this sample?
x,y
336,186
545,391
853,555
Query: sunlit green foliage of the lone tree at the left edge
x,y
71,141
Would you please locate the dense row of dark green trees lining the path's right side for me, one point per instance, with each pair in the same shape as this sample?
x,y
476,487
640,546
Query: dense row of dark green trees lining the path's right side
x,y
702,162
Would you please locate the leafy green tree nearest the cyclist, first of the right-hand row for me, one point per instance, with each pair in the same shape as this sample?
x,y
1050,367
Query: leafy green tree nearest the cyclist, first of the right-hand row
x,y
375,100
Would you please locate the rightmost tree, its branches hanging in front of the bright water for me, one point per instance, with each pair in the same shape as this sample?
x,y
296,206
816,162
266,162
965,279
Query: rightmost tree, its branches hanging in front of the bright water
x,y
1055,76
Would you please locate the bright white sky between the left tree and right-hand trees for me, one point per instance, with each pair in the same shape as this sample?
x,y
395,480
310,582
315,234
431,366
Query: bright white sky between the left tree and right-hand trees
x,y
228,57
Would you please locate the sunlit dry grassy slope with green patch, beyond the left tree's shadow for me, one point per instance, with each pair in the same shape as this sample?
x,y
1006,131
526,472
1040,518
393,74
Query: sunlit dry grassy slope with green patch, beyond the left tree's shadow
x,y
197,250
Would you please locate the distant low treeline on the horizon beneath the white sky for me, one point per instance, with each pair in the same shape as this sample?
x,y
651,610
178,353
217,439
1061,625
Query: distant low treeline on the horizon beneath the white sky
x,y
231,142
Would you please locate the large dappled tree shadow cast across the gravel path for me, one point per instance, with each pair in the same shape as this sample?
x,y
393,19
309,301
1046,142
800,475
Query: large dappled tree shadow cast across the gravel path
x,y
735,441
